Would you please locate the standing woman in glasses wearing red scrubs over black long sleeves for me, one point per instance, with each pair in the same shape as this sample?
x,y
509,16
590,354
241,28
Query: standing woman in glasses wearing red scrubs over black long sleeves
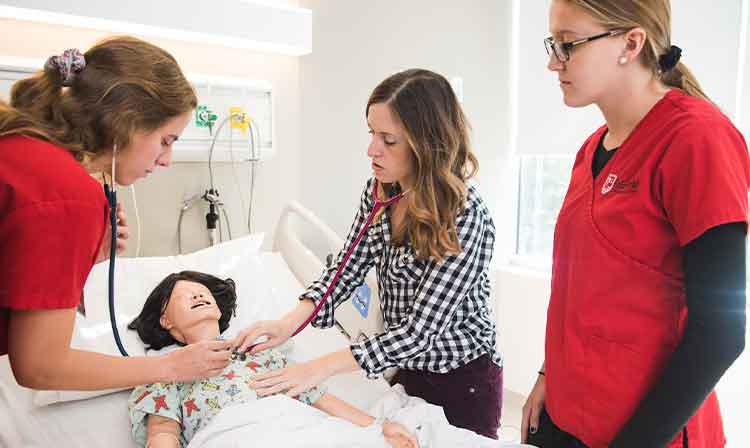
x,y
647,308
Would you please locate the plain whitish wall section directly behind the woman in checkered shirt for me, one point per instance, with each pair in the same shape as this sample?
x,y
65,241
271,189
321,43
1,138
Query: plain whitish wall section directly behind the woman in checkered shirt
x,y
356,44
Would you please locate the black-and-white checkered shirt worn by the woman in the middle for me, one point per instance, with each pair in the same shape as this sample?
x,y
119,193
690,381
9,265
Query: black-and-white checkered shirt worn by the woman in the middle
x,y
437,316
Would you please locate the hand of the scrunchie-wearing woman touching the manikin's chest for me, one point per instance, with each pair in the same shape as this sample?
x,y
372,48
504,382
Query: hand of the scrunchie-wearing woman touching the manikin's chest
x,y
197,361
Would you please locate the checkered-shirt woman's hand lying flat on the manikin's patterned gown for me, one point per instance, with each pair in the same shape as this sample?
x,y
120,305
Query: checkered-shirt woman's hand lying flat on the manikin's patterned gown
x,y
293,380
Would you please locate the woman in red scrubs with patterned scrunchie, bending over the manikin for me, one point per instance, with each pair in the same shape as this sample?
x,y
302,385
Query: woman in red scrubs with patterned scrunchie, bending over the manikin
x,y
124,97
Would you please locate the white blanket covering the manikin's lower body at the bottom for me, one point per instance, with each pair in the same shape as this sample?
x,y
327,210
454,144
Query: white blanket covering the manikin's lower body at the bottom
x,y
282,421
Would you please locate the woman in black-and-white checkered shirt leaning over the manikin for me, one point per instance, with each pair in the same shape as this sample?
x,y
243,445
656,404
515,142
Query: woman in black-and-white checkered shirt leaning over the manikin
x,y
431,251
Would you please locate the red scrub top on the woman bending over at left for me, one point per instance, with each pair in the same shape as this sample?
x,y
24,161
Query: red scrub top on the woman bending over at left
x,y
54,216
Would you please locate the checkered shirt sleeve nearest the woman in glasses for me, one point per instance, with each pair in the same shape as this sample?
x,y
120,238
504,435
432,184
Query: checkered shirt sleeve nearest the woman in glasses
x,y
440,293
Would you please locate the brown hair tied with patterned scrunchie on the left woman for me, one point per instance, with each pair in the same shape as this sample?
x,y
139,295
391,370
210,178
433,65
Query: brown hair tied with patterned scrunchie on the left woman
x,y
87,103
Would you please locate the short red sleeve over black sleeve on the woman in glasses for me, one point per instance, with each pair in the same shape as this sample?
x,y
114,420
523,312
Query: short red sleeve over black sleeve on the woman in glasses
x,y
704,178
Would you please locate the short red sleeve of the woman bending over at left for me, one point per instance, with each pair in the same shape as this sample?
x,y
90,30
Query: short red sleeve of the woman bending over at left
x,y
48,251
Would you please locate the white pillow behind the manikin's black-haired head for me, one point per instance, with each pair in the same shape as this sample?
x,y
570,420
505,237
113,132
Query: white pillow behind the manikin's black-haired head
x,y
260,295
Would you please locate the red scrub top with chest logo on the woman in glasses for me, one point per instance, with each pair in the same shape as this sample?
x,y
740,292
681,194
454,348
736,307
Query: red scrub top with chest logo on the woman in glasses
x,y
617,309
